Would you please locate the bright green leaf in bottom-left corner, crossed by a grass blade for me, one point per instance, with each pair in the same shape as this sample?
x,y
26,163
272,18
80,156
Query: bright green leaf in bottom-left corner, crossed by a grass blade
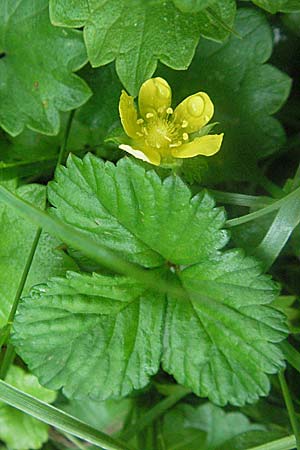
x,y
18,430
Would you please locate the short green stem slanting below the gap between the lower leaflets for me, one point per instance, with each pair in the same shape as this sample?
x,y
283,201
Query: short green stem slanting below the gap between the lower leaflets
x,y
158,410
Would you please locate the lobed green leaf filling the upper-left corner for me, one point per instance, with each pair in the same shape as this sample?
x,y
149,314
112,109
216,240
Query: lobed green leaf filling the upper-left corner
x,y
37,80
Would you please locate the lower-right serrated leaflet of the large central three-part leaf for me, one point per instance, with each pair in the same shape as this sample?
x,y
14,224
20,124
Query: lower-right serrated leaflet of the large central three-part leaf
x,y
226,316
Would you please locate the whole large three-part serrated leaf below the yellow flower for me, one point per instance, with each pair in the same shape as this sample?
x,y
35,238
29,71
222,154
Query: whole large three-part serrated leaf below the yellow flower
x,y
104,336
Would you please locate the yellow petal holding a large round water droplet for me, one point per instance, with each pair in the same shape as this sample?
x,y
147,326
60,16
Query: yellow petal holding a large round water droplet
x,y
194,112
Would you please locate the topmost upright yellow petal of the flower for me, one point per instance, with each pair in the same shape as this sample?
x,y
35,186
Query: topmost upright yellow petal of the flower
x,y
154,97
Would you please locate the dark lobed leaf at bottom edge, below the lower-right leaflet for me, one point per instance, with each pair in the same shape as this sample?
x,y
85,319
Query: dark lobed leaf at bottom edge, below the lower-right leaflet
x,y
206,427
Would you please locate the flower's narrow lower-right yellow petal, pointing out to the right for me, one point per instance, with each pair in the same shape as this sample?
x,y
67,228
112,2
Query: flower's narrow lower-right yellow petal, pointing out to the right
x,y
205,145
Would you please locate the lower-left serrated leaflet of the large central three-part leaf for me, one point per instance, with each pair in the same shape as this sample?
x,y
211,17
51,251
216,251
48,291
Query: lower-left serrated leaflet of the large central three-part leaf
x,y
101,336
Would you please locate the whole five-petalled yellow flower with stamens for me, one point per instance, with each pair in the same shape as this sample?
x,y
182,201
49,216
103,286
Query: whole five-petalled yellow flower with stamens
x,y
159,134
